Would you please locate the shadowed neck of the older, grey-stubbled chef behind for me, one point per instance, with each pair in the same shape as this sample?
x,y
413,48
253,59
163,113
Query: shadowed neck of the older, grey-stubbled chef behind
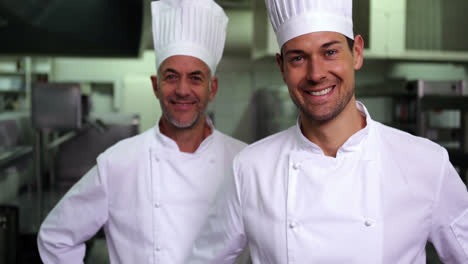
x,y
188,139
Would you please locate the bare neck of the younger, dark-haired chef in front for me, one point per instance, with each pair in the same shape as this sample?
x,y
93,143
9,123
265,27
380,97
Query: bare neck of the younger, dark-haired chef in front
x,y
330,135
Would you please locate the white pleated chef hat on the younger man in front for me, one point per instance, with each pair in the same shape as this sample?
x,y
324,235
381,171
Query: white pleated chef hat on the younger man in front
x,y
293,18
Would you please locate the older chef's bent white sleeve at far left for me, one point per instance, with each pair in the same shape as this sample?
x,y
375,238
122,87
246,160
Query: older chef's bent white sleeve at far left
x,y
75,219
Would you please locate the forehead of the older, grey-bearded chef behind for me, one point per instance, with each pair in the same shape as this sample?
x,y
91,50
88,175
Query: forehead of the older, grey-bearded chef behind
x,y
184,64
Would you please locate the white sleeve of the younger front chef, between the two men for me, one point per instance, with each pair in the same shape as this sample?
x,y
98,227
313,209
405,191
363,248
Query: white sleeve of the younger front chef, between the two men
x,y
222,238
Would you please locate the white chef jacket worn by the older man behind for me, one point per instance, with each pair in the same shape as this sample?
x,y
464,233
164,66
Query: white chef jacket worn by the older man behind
x,y
151,199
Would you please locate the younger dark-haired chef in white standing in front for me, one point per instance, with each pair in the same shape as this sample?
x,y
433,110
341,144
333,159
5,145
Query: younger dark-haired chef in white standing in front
x,y
338,187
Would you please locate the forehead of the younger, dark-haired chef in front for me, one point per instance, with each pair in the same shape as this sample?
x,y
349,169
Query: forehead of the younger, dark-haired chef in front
x,y
313,40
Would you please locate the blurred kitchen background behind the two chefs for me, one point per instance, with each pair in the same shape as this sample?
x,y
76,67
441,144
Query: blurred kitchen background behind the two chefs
x,y
75,79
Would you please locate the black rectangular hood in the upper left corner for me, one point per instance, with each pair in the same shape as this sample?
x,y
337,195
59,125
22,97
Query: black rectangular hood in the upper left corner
x,y
95,28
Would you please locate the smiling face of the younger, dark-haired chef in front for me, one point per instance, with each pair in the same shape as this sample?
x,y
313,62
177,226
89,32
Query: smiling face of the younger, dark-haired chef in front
x,y
318,69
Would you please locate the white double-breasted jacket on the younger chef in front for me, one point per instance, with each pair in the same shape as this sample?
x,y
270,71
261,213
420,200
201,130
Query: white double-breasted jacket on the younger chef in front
x,y
379,201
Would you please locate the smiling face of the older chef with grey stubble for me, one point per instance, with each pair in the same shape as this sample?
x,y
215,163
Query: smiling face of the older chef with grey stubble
x,y
184,87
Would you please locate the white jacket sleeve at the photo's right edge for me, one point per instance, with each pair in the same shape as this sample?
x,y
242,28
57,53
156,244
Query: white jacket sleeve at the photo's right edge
x,y
449,232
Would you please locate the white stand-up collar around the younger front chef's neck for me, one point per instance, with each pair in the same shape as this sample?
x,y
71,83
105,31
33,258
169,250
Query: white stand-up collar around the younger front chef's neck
x,y
353,144
